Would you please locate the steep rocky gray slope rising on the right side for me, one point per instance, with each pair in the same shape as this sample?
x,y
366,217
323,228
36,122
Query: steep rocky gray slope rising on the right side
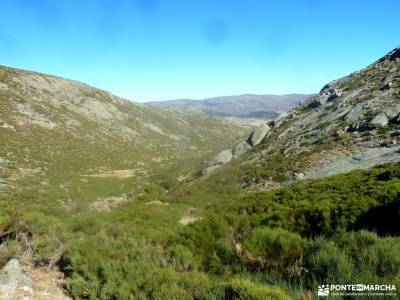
x,y
354,122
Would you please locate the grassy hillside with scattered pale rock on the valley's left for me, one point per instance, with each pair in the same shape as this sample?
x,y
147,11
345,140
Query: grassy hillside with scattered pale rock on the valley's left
x,y
56,132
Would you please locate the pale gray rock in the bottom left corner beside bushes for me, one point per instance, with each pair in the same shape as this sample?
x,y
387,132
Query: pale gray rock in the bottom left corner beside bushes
x,y
14,284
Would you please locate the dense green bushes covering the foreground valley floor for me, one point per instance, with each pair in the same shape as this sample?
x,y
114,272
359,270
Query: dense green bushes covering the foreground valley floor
x,y
279,244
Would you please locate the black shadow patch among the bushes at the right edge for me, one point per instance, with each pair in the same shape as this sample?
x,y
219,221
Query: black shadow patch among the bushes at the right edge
x,y
383,219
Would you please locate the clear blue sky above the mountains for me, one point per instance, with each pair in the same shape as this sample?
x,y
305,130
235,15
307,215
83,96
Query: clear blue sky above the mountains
x,y
167,49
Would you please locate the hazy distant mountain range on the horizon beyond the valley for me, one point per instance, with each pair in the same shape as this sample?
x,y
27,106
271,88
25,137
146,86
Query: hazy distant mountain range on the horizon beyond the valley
x,y
243,106
